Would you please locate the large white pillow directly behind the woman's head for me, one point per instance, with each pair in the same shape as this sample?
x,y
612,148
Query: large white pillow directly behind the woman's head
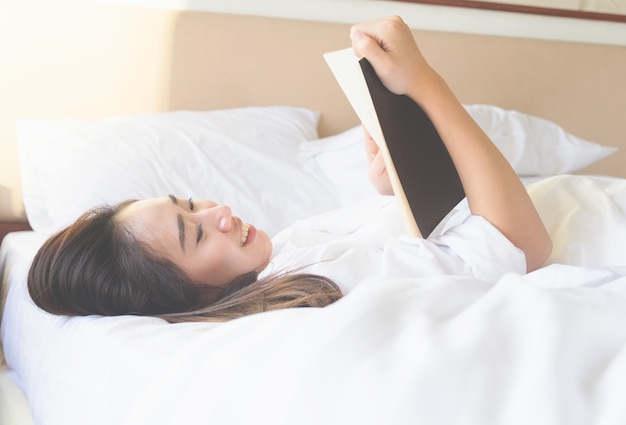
x,y
245,158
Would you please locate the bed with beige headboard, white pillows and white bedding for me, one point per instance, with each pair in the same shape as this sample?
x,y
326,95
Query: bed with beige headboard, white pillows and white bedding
x,y
547,347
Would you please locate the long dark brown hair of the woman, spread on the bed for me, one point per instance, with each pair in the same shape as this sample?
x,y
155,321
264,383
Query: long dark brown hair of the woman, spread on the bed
x,y
96,266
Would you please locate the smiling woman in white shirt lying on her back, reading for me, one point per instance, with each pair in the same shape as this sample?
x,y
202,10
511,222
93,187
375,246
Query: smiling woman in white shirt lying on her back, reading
x,y
194,260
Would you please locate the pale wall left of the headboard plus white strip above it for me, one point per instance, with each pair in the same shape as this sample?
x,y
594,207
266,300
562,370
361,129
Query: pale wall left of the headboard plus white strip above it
x,y
119,63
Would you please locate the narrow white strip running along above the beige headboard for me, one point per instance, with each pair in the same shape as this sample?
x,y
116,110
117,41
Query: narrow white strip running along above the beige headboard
x,y
420,16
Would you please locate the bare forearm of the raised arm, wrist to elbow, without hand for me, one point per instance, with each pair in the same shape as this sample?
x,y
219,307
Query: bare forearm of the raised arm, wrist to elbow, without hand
x,y
492,187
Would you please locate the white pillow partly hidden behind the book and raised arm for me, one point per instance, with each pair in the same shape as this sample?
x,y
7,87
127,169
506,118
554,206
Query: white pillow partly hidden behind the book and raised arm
x,y
533,146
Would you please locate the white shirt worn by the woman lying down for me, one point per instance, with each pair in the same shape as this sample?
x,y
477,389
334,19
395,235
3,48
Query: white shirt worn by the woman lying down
x,y
369,239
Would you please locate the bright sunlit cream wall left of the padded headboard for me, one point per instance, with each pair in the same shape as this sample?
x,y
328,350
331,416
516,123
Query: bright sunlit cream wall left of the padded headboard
x,y
111,63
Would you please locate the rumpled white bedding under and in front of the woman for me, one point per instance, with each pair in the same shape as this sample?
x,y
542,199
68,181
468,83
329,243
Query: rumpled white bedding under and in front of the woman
x,y
544,348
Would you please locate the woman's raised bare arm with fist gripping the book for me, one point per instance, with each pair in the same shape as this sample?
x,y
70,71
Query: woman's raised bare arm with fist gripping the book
x,y
492,187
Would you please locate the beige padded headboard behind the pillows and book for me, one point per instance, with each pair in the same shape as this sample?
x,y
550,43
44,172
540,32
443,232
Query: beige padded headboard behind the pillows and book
x,y
580,86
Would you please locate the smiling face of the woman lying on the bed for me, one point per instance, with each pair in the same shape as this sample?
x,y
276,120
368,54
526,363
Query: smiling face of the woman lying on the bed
x,y
201,237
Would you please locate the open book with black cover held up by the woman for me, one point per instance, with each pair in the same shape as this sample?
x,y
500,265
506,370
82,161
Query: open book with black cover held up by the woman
x,y
421,171
